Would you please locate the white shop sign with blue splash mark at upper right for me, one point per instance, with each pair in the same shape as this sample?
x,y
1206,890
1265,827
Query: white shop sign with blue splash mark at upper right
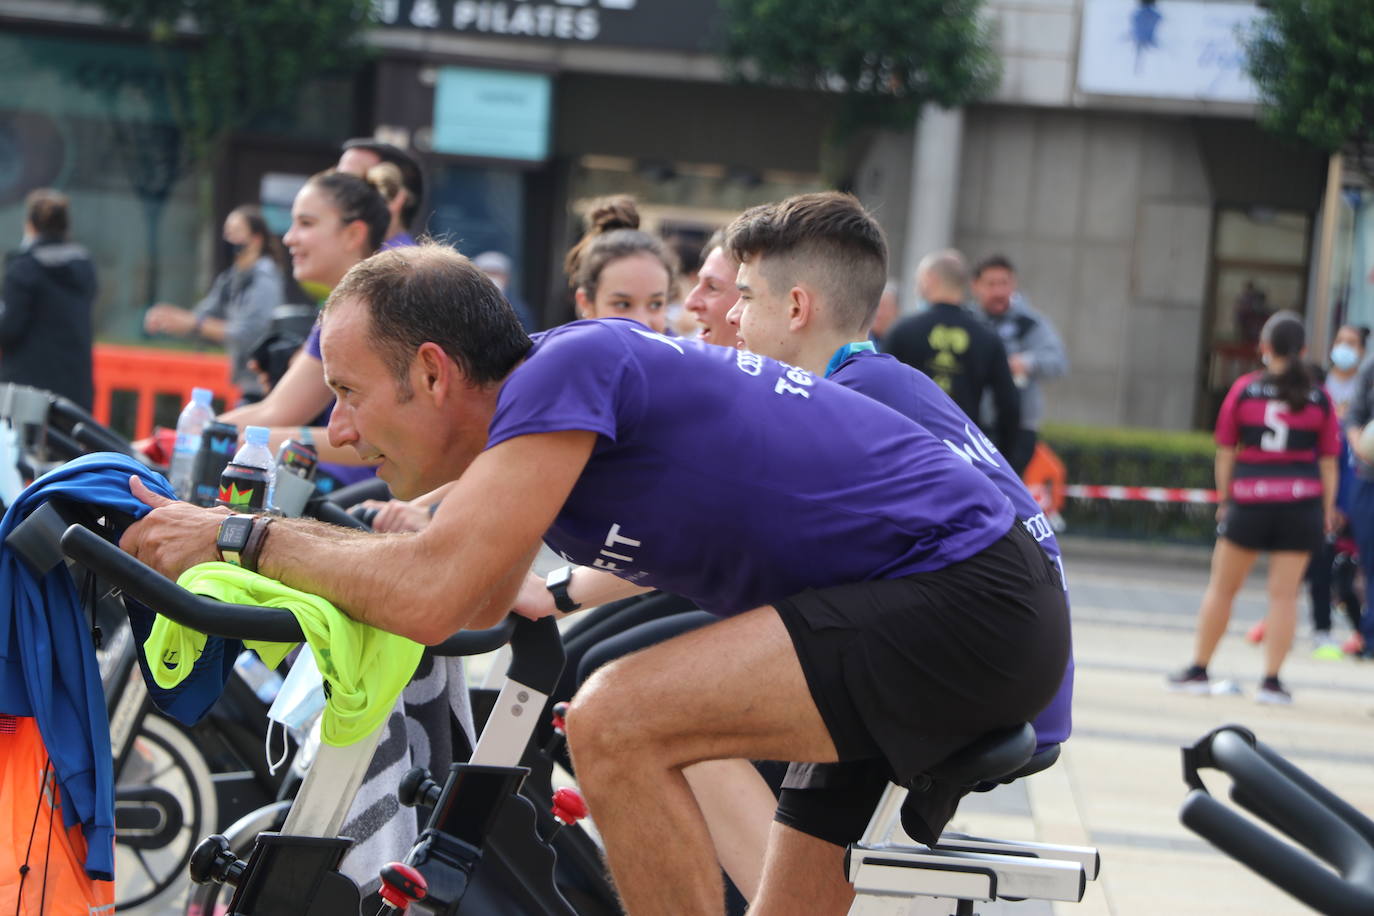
x,y
1167,50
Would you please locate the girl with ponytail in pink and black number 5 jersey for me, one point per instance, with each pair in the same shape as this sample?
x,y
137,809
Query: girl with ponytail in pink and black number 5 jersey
x,y
1277,440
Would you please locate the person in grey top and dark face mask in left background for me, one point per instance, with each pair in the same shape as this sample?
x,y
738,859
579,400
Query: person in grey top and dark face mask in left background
x,y
237,312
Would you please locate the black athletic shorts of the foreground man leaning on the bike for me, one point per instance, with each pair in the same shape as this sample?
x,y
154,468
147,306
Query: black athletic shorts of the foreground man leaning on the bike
x,y
906,672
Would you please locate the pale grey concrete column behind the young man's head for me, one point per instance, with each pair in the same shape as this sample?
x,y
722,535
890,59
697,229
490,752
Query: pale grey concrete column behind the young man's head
x,y
935,185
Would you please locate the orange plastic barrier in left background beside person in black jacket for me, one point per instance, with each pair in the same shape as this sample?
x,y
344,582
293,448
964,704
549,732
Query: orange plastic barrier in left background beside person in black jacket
x,y
149,373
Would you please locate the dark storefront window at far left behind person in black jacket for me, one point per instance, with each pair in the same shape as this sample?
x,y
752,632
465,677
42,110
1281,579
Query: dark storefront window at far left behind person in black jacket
x,y
91,120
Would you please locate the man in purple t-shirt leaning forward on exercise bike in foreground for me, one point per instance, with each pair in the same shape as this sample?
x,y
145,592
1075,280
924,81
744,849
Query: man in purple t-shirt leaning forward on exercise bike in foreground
x,y
881,604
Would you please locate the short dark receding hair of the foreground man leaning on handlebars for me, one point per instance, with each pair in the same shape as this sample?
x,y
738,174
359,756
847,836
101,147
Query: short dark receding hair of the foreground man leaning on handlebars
x,y
432,295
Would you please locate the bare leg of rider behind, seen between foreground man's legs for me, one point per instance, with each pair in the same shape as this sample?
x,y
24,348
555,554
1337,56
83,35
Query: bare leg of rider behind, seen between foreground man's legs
x,y
739,807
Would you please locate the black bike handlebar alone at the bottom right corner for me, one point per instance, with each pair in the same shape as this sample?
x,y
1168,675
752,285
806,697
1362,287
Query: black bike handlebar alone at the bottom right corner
x,y
1328,829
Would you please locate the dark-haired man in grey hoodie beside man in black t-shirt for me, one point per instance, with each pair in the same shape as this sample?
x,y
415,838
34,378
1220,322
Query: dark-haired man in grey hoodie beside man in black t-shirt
x,y
1035,350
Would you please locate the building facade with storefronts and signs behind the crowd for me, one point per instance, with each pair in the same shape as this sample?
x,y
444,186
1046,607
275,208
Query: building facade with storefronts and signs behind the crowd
x,y
1119,164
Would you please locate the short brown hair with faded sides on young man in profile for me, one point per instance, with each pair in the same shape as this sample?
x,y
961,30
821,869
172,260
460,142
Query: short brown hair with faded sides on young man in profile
x,y
829,234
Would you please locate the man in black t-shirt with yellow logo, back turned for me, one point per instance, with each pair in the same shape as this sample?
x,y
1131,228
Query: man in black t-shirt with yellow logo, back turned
x,y
961,354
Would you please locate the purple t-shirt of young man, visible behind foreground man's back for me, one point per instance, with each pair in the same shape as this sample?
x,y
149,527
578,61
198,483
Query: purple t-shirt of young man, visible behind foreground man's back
x,y
912,392
